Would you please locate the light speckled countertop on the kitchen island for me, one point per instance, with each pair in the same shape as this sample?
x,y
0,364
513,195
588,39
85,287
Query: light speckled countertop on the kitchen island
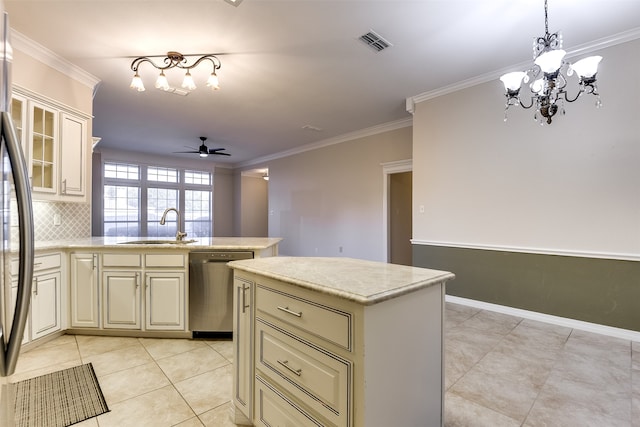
x,y
364,282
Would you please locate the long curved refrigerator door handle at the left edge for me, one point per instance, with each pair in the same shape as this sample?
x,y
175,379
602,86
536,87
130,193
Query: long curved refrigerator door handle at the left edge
x,y
26,253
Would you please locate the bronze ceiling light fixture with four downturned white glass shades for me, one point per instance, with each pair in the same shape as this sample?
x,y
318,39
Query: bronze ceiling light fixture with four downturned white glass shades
x,y
175,60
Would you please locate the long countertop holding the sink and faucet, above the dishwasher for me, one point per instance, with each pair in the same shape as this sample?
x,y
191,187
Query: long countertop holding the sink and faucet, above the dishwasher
x,y
200,243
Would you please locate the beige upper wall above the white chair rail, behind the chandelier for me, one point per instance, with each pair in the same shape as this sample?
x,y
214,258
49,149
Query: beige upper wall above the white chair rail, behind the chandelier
x,y
570,186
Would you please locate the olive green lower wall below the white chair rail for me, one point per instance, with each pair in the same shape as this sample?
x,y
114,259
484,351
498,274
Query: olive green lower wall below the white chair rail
x,y
602,291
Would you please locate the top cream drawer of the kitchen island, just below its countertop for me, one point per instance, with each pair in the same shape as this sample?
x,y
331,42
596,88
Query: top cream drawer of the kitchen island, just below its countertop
x,y
320,320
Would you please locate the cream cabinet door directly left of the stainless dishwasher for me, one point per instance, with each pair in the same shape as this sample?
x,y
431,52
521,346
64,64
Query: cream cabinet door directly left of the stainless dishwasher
x,y
164,300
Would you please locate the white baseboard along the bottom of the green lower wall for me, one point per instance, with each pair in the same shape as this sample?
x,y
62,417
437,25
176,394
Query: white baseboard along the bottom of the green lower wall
x,y
548,318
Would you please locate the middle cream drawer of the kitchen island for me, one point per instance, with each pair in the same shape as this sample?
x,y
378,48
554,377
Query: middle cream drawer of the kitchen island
x,y
318,378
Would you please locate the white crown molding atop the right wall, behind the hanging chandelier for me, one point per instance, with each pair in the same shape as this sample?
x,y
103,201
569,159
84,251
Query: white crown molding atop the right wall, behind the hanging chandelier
x,y
605,42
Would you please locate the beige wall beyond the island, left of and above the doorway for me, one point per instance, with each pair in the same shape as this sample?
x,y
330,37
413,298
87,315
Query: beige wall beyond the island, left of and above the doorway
x,y
331,198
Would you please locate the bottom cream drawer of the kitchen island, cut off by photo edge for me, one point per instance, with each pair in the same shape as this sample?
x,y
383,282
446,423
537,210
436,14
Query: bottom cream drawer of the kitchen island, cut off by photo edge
x,y
274,409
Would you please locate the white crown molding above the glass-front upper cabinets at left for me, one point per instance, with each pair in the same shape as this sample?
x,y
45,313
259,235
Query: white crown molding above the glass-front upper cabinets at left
x,y
52,59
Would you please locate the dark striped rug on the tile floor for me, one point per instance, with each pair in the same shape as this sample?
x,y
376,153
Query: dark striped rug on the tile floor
x,y
59,399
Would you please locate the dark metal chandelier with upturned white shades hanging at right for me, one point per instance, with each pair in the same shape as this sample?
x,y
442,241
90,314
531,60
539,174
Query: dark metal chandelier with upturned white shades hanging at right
x,y
549,76
